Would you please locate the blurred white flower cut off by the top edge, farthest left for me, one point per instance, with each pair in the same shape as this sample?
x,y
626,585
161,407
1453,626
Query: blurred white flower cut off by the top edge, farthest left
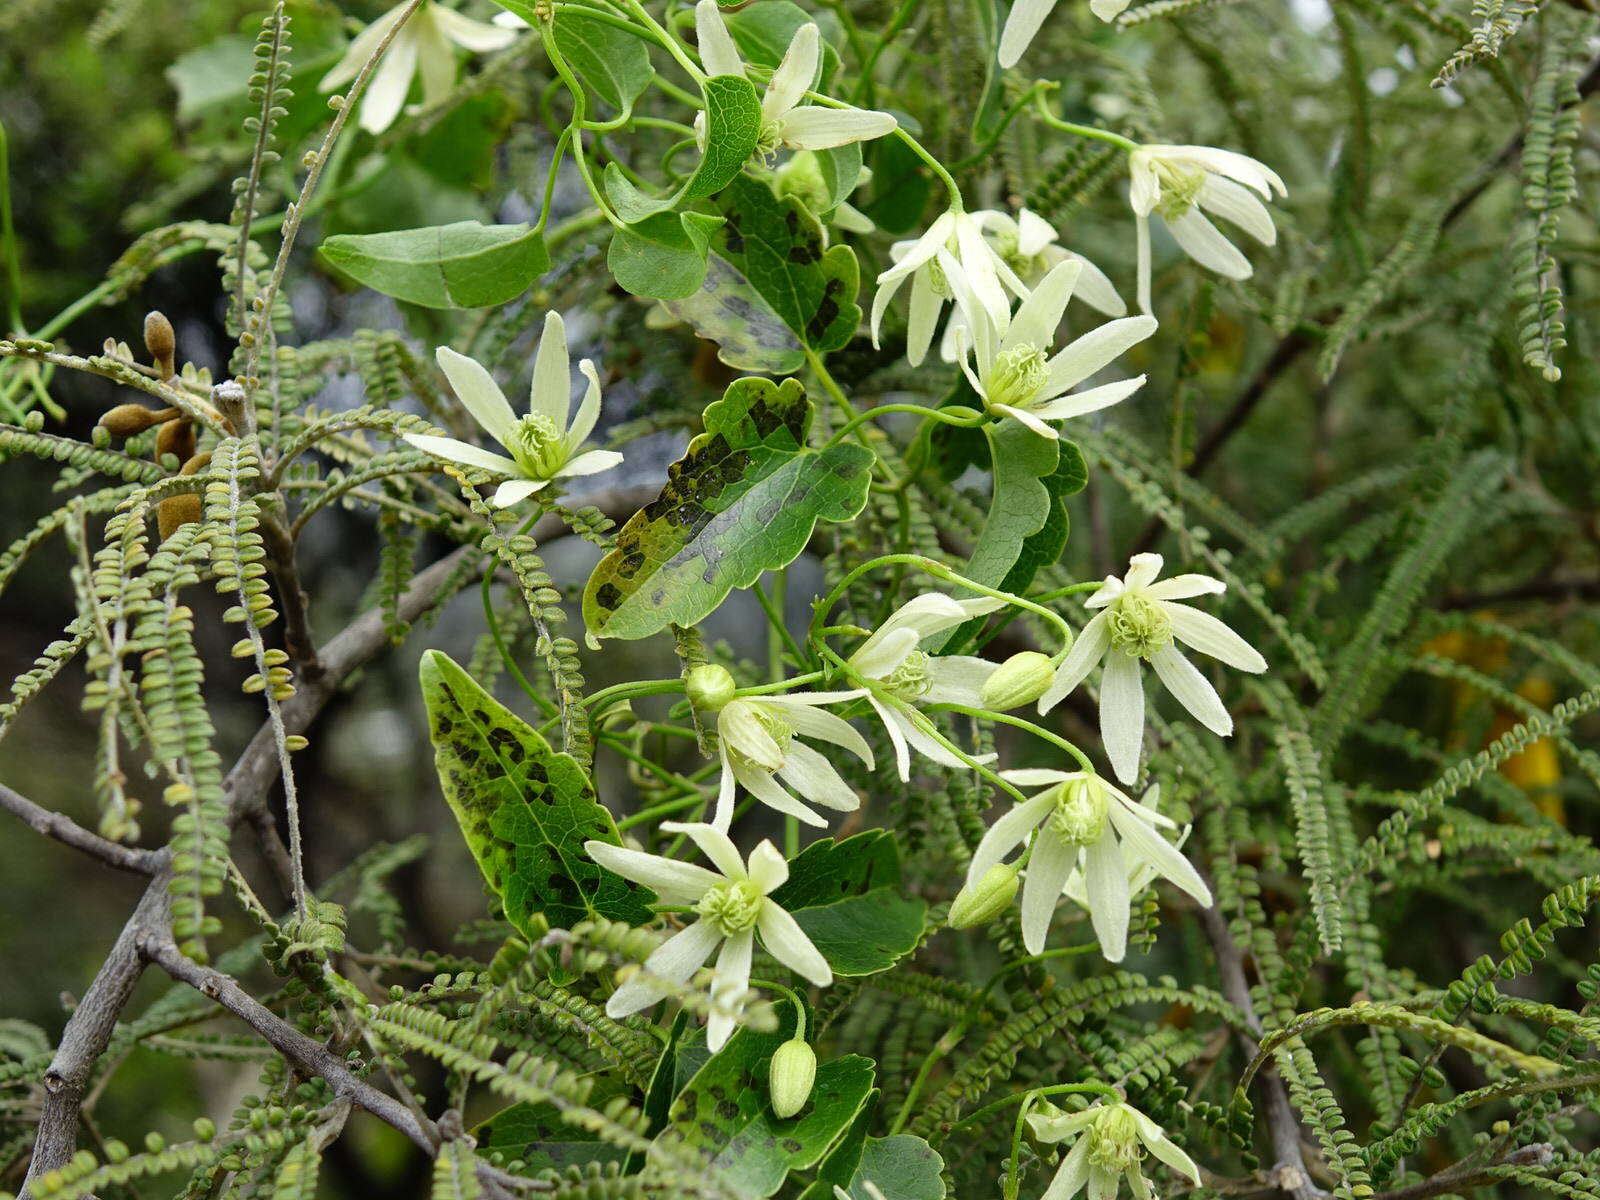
x,y
423,46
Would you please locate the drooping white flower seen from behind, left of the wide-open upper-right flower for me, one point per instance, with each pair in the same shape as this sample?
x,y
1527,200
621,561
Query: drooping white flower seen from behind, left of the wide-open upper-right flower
x,y
954,246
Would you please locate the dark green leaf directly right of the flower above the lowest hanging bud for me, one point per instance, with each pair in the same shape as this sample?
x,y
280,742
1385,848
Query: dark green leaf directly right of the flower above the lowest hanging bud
x,y
846,897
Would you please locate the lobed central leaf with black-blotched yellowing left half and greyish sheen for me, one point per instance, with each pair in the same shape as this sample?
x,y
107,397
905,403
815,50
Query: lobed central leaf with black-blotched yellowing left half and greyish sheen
x,y
743,500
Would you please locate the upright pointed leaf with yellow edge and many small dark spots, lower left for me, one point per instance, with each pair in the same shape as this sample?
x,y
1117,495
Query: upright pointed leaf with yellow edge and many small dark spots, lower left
x,y
524,807
